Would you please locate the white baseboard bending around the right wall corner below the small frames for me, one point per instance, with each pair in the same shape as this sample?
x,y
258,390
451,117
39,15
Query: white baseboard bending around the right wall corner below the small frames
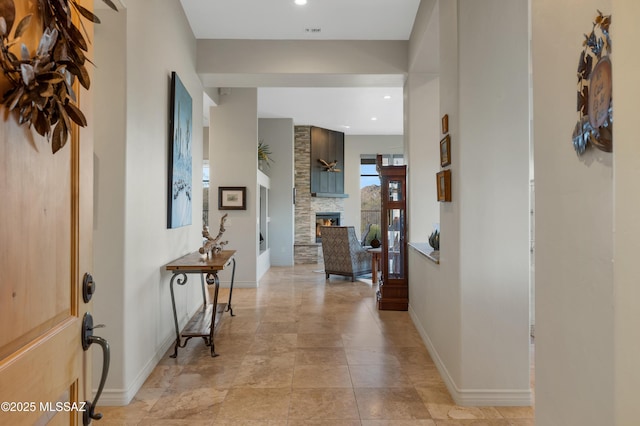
x,y
471,397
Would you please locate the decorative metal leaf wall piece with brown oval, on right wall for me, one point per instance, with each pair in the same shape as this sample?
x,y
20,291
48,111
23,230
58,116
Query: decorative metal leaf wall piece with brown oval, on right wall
x,y
595,107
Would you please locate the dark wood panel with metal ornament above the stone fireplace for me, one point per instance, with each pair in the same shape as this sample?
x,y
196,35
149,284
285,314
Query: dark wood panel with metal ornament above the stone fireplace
x,y
327,163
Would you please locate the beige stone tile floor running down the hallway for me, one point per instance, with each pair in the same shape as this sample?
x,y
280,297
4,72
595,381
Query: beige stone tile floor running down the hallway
x,y
302,351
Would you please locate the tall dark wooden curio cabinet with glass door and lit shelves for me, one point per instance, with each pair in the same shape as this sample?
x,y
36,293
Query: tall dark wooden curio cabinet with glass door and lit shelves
x,y
394,286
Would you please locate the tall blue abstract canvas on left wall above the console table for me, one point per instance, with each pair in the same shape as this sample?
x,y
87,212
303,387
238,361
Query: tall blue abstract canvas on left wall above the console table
x,y
180,159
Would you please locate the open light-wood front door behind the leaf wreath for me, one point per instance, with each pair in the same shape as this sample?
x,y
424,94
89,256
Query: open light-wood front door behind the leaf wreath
x,y
45,250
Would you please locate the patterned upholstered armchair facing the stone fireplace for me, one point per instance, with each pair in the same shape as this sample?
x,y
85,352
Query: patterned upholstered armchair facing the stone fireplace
x,y
342,252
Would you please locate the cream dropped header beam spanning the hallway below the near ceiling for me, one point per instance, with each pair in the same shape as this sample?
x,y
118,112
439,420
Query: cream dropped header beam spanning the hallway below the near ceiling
x,y
300,63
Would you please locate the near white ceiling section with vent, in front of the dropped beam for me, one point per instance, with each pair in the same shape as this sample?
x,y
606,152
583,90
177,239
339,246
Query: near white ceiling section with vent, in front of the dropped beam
x,y
317,20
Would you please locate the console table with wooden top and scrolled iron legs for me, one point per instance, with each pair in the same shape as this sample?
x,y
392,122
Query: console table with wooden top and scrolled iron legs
x,y
204,322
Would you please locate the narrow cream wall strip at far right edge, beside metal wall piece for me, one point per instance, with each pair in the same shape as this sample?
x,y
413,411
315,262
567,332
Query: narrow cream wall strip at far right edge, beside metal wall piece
x,y
625,33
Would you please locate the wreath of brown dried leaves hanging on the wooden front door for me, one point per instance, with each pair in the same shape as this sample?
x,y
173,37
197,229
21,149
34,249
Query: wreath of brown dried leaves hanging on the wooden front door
x,y
42,83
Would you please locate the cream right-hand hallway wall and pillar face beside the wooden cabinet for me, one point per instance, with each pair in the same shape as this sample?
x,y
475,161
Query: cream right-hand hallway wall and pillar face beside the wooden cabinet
x,y
472,308
